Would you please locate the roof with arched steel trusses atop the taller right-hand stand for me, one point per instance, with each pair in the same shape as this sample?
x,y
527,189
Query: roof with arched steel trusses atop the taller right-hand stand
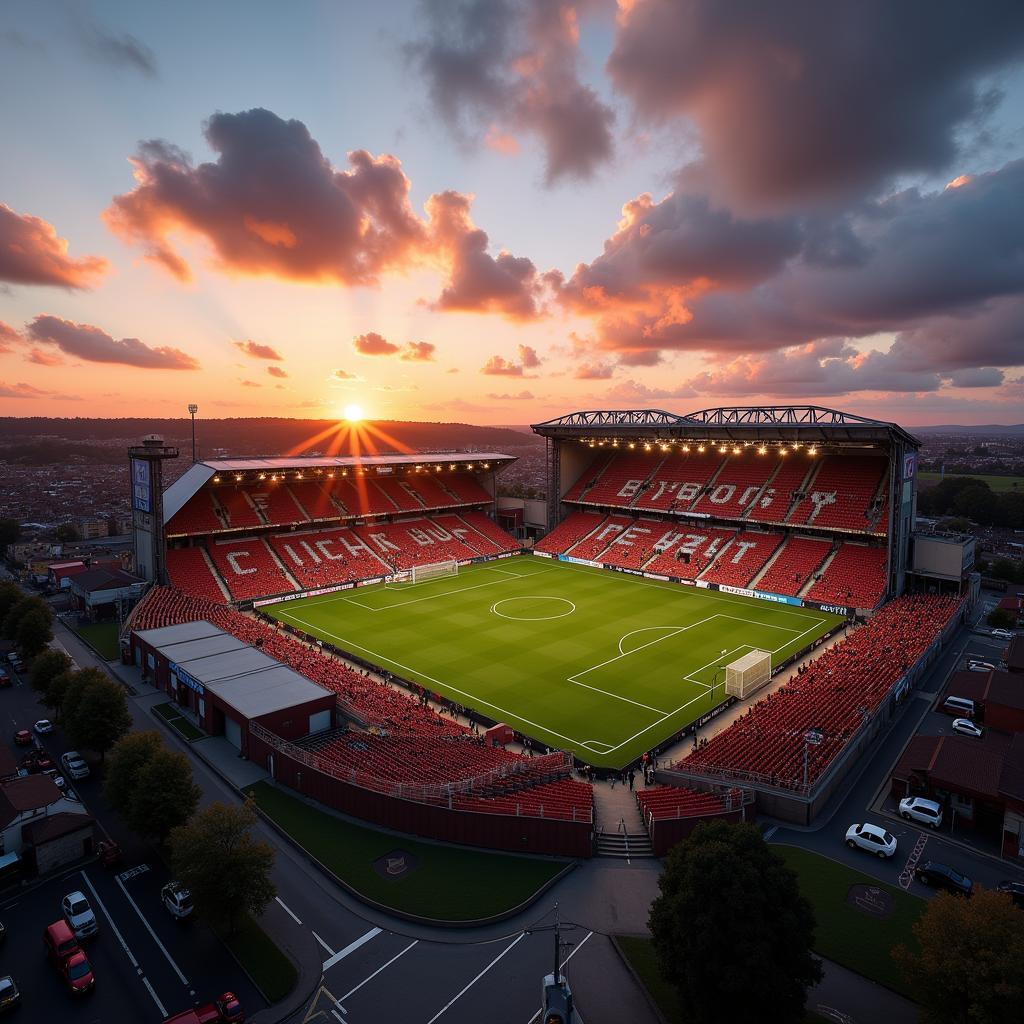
x,y
750,423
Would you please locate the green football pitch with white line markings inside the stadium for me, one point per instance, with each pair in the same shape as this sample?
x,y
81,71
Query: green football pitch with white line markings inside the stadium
x,y
602,664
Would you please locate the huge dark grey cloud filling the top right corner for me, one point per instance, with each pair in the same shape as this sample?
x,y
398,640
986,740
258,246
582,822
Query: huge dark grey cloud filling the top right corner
x,y
795,100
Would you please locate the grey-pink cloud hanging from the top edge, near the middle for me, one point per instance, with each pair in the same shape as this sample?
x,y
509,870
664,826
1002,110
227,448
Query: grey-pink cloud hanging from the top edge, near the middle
x,y
496,69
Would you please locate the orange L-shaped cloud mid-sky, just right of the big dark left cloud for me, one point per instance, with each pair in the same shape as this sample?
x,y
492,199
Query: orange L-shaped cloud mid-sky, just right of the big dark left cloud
x,y
479,282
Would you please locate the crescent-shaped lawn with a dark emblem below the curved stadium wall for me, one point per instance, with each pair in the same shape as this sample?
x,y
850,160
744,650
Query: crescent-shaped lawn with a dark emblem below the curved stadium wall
x,y
452,884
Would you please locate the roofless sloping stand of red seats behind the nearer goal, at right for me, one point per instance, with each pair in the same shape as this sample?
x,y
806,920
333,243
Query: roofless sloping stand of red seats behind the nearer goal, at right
x,y
847,681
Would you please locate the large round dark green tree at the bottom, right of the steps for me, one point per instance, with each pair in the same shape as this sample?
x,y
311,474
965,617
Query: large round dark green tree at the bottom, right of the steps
x,y
724,890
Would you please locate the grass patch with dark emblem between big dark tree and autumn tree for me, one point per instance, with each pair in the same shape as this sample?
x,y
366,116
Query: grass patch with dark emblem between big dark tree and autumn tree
x,y
846,935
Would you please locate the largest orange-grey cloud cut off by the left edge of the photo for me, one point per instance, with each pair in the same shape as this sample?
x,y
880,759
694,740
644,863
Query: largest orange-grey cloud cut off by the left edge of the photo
x,y
31,253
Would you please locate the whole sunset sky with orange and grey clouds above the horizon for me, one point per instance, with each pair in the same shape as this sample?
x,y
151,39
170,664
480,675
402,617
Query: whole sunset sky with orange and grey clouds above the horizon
x,y
498,211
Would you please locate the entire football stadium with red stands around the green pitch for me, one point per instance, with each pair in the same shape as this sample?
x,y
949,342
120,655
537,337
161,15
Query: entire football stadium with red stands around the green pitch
x,y
385,635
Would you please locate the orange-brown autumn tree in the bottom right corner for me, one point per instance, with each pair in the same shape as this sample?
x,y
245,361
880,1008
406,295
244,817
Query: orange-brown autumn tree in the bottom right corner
x,y
970,969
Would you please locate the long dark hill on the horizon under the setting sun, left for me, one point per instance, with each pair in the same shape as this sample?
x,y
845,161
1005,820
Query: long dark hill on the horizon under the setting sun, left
x,y
33,437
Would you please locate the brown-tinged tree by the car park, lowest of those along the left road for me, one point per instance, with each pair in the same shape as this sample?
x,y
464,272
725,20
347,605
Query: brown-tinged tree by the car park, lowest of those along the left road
x,y
227,869
